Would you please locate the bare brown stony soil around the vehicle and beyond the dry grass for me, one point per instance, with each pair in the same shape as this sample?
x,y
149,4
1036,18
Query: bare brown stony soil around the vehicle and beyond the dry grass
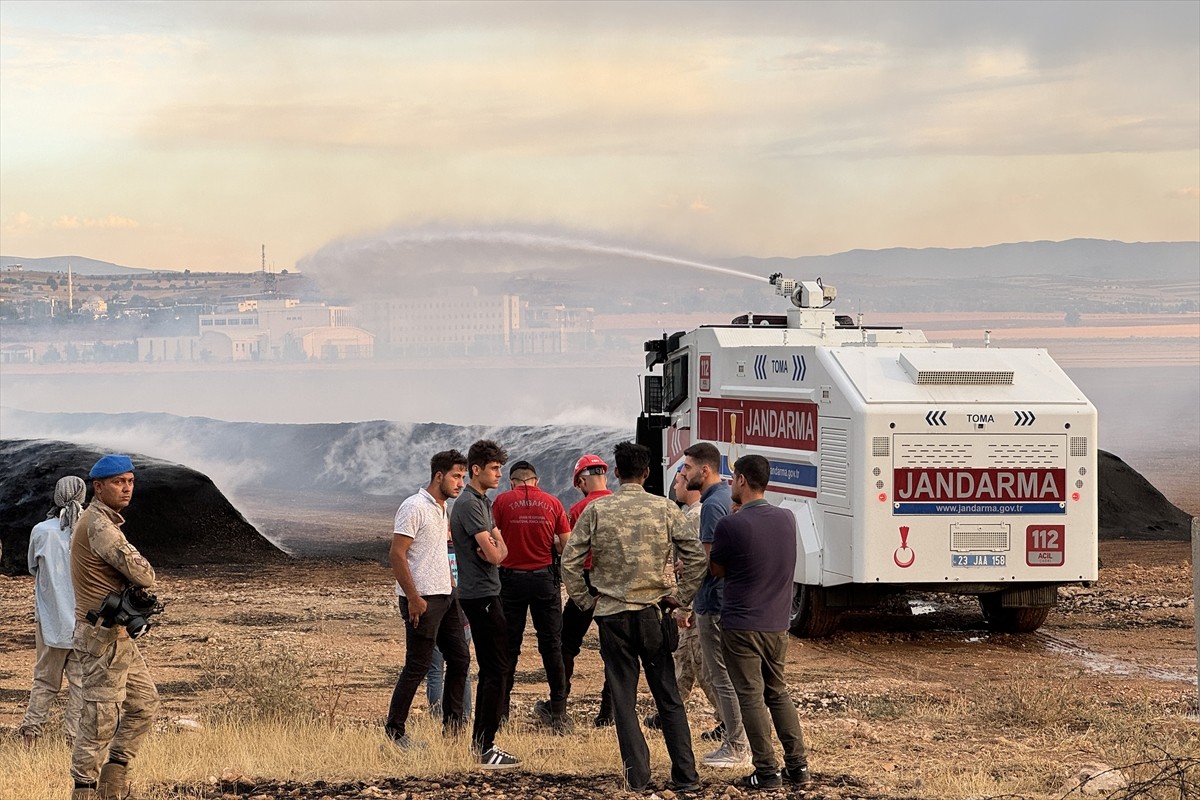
x,y
865,695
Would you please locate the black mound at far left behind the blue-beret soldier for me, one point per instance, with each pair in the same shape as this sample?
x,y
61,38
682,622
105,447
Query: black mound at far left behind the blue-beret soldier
x,y
178,518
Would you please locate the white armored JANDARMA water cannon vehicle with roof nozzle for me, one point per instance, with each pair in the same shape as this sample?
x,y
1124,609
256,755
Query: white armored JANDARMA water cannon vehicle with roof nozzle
x,y
910,466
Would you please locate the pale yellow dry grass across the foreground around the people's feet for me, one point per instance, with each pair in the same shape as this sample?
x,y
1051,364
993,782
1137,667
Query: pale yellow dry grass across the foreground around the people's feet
x,y
1023,741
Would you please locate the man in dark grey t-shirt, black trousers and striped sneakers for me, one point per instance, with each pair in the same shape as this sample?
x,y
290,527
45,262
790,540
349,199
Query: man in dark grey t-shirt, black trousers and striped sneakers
x,y
479,548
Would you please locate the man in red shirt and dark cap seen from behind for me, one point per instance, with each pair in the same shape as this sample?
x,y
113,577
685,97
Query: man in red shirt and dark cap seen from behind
x,y
536,528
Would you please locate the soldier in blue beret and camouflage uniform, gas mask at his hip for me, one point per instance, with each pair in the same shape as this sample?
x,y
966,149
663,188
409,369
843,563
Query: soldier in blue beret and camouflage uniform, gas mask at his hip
x,y
119,699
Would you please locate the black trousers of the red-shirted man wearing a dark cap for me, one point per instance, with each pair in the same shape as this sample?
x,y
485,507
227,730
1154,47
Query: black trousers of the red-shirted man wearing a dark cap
x,y
535,594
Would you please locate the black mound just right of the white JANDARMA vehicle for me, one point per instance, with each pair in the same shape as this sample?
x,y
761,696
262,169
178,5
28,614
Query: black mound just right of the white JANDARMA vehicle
x,y
1131,508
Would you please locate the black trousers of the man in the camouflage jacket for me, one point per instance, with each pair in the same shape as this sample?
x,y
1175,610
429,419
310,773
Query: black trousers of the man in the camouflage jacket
x,y
631,642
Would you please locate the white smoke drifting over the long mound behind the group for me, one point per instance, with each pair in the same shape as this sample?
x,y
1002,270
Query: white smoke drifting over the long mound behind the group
x,y
359,459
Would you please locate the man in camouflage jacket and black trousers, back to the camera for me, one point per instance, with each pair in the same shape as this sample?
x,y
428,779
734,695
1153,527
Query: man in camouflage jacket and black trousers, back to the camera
x,y
632,536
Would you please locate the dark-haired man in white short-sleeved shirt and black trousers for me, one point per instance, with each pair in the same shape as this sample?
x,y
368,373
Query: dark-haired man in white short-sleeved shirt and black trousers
x,y
427,597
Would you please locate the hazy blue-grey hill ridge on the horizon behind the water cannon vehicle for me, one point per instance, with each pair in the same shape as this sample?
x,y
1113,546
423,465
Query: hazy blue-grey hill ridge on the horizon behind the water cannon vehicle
x,y
1089,258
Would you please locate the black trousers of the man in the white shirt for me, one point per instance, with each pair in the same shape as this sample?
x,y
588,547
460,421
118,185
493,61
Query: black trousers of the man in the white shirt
x,y
440,625
